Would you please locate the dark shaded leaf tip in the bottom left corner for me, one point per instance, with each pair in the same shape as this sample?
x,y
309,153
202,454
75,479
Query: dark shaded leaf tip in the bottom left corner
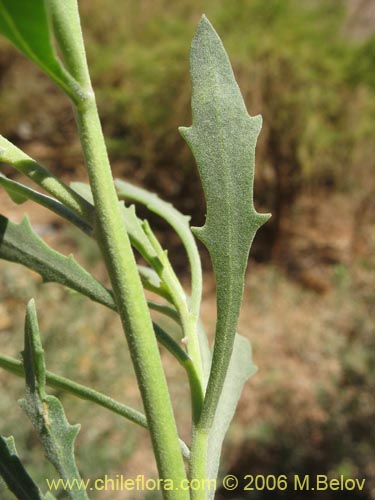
x,y
14,474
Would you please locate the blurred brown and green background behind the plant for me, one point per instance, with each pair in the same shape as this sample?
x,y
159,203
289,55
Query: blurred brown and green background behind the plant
x,y
308,67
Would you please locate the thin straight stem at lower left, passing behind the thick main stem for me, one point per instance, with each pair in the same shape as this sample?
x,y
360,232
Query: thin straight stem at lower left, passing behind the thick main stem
x,y
15,367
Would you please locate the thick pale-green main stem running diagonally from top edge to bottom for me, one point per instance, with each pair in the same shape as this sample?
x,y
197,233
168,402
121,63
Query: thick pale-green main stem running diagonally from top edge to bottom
x,y
119,258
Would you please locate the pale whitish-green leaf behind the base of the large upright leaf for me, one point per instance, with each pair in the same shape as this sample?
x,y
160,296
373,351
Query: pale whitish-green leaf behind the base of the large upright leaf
x,y
240,369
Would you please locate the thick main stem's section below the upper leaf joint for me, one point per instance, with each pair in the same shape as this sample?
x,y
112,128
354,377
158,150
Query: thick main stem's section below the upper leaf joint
x,y
130,300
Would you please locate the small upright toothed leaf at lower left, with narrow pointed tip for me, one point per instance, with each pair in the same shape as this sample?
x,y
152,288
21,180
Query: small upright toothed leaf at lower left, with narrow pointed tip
x,y
46,412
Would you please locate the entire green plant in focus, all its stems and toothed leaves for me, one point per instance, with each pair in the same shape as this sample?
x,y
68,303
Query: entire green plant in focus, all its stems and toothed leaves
x,y
222,139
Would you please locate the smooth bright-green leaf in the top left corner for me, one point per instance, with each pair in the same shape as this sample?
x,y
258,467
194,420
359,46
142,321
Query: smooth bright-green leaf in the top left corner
x,y
26,25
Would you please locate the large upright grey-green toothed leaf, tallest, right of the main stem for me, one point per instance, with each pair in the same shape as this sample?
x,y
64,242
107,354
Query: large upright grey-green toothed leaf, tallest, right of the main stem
x,y
222,139
